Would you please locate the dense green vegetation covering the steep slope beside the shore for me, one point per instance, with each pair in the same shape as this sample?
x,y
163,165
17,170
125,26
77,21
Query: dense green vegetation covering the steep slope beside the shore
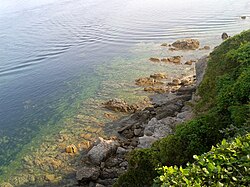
x,y
222,112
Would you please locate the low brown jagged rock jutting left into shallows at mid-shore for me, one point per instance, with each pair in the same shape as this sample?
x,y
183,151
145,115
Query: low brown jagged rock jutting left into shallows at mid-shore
x,y
120,105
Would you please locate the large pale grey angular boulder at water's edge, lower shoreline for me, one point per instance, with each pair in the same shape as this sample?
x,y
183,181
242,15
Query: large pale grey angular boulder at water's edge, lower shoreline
x,y
101,151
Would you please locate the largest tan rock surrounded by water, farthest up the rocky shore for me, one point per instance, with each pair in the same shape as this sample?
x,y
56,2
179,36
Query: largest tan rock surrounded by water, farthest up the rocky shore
x,y
186,44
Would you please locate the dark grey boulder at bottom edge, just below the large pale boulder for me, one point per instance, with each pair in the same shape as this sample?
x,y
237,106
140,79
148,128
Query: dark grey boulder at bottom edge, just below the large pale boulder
x,y
88,173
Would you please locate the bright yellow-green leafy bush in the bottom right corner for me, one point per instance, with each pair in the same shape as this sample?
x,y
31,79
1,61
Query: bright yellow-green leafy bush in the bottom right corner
x,y
226,165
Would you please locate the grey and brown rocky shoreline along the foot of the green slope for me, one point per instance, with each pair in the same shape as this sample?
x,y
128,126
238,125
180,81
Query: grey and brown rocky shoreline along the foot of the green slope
x,y
171,105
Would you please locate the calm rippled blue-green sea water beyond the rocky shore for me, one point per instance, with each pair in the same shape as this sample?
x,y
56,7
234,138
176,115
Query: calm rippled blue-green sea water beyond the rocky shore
x,y
52,51
